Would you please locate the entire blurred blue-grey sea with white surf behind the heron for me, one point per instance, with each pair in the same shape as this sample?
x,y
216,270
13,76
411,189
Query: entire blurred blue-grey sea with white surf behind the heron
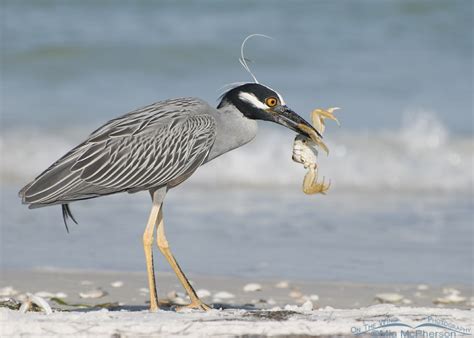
x,y
401,165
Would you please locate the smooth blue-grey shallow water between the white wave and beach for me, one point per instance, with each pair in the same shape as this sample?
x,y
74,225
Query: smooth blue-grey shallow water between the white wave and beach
x,y
254,232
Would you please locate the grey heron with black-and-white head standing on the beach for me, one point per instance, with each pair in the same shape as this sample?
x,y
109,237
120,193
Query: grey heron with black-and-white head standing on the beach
x,y
156,148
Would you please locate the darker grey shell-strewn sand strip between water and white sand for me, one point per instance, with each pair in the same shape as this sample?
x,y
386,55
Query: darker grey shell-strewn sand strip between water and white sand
x,y
131,289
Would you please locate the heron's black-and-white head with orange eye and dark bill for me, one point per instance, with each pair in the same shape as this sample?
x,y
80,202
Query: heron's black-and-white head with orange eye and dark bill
x,y
258,102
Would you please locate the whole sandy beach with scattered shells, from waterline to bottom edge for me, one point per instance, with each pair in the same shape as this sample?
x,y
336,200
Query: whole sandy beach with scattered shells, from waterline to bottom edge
x,y
263,307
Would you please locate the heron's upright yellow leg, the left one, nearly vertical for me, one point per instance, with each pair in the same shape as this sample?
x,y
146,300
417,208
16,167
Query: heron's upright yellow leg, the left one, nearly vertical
x,y
148,247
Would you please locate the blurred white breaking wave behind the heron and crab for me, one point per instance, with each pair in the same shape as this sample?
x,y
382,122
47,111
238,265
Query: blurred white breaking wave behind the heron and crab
x,y
418,156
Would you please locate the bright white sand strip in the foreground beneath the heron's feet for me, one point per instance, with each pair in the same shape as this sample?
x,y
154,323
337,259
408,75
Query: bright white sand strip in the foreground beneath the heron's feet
x,y
290,321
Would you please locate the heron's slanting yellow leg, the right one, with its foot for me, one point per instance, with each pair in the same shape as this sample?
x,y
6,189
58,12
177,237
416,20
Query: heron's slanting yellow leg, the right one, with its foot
x,y
164,247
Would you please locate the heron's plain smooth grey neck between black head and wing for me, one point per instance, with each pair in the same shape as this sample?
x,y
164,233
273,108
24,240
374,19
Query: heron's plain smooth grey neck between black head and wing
x,y
233,130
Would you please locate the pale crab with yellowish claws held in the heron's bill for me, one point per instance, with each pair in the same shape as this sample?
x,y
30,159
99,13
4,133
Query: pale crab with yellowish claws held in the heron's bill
x,y
305,151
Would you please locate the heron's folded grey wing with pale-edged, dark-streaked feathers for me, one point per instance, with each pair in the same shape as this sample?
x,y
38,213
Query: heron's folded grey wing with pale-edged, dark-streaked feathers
x,y
161,144
